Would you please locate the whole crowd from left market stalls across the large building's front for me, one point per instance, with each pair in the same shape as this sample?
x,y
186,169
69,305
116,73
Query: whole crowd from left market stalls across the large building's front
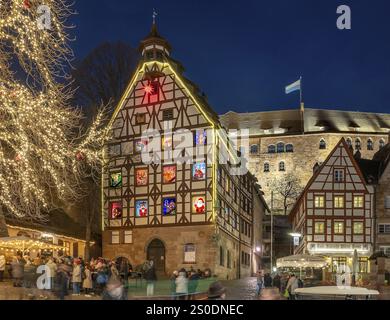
x,y
100,277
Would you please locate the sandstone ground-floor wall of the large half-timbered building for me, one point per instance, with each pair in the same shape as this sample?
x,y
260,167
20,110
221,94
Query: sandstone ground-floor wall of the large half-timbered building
x,y
174,239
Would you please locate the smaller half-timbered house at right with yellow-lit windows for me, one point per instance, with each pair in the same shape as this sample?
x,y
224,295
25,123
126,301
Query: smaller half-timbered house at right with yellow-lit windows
x,y
335,212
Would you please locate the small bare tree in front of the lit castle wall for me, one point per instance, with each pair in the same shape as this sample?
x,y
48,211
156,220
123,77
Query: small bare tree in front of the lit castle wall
x,y
286,190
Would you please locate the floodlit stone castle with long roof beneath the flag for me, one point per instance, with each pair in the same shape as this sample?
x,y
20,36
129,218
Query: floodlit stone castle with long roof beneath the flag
x,y
295,141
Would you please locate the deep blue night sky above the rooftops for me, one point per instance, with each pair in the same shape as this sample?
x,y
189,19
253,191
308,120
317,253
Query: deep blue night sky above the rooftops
x,y
243,53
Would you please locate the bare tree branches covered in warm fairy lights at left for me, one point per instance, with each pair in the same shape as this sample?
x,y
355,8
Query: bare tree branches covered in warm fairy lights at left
x,y
44,152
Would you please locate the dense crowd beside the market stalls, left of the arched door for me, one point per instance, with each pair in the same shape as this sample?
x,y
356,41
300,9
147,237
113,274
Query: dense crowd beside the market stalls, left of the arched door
x,y
66,274
